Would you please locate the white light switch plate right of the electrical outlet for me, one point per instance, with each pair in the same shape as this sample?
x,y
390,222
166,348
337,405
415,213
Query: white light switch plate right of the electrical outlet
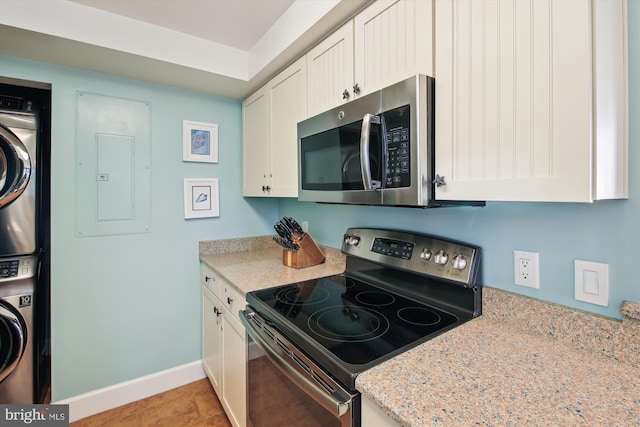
x,y
592,282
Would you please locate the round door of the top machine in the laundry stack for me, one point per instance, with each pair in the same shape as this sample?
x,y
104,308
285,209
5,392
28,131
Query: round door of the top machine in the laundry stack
x,y
15,167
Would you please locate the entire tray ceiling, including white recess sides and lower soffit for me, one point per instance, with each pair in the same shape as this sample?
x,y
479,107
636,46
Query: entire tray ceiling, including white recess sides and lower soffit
x,y
223,47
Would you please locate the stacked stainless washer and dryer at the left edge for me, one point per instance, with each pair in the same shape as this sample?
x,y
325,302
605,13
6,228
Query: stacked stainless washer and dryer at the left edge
x,y
21,249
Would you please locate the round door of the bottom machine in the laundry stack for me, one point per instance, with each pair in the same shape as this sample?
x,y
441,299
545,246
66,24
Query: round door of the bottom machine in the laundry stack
x,y
13,340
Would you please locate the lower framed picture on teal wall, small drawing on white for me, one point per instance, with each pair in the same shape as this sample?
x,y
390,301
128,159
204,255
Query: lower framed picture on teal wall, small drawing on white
x,y
201,199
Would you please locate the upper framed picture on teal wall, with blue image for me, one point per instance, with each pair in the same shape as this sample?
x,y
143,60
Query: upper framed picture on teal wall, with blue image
x,y
199,142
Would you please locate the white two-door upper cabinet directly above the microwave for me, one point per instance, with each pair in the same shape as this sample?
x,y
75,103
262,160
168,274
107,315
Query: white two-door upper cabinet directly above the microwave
x,y
385,43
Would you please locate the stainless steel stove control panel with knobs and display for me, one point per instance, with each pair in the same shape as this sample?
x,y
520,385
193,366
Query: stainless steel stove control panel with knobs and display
x,y
421,253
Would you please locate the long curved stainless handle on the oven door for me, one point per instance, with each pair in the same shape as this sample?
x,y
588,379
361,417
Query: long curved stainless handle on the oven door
x,y
338,407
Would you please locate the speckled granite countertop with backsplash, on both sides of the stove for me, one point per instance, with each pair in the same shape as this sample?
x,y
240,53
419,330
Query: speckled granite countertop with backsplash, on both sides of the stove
x,y
523,362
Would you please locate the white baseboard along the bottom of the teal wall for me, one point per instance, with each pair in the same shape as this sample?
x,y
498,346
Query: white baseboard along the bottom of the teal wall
x,y
103,399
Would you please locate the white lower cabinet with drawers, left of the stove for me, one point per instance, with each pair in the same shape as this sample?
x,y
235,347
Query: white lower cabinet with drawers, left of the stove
x,y
223,344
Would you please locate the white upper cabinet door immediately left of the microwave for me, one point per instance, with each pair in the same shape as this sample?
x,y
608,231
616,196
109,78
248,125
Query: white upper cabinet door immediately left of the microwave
x,y
288,107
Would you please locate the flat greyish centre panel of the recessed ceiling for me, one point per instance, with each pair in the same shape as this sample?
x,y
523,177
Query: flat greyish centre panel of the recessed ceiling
x,y
235,23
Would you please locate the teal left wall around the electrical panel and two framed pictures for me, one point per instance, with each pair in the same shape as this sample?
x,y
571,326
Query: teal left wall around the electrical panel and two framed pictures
x,y
125,306
